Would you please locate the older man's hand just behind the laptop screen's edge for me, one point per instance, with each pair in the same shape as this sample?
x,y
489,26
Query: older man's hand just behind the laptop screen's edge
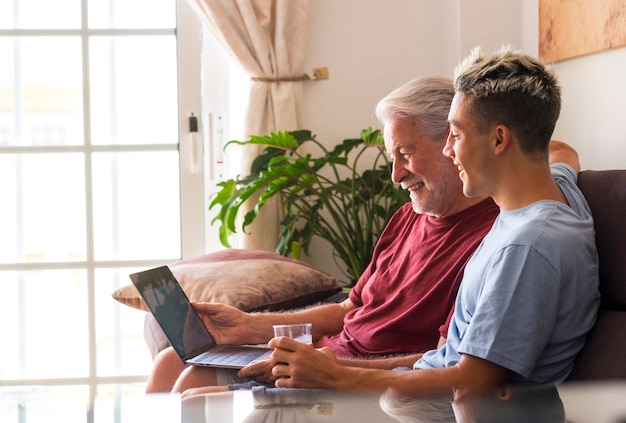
x,y
226,324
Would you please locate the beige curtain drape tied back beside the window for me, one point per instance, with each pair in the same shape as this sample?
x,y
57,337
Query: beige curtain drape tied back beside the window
x,y
267,37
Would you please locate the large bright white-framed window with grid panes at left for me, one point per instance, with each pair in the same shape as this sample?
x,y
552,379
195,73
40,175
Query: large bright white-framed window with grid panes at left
x,y
94,159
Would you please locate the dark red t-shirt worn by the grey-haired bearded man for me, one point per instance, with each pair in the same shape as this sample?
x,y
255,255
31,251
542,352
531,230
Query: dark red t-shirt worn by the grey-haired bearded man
x,y
406,294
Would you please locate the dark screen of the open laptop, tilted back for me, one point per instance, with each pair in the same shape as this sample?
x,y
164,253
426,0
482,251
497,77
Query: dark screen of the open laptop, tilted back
x,y
171,308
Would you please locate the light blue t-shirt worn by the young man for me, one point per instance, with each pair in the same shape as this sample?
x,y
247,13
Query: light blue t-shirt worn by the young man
x,y
529,294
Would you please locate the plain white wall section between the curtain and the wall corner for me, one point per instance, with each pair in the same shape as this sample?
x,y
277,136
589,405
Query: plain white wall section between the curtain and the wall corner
x,y
370,47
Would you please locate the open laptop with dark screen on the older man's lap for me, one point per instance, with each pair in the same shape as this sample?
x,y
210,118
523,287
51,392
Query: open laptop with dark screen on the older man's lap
x,y
184,328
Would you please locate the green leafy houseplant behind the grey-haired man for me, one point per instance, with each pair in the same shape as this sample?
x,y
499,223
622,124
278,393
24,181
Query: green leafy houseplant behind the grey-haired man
x,y
344,195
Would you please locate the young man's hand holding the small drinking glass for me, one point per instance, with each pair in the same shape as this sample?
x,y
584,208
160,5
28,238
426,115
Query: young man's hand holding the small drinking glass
x,y
298,365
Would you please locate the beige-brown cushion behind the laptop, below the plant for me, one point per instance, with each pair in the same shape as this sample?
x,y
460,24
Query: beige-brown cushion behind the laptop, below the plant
x,y
251,280
